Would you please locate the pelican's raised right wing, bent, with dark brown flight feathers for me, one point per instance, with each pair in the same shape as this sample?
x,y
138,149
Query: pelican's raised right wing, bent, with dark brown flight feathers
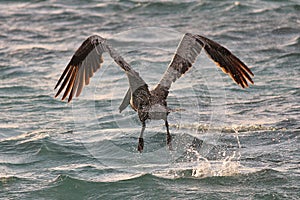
x,y
186,54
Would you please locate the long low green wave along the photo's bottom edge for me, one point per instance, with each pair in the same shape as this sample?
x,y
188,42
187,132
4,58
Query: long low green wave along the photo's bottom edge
x,y
149,184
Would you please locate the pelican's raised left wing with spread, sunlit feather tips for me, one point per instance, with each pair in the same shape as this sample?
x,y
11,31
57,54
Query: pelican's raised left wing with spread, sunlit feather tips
x,y
84,63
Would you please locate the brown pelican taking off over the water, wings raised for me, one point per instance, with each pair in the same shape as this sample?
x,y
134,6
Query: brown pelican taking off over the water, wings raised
x,y
148,104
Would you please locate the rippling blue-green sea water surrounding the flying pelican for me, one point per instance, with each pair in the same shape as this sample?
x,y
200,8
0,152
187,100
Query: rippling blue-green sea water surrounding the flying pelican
x,y
229,143
